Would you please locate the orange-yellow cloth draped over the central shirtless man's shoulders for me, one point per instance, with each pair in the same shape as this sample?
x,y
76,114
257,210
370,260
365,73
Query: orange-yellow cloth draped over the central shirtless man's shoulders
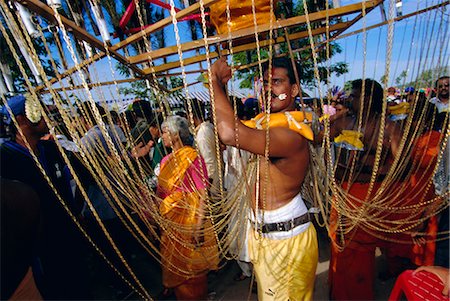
x,y
294,120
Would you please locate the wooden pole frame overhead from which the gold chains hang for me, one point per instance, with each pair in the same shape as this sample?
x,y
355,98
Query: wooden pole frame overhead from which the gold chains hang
x,y
133,62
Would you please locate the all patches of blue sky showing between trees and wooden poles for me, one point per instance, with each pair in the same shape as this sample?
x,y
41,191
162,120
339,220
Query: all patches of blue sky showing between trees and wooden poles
x,y
414,54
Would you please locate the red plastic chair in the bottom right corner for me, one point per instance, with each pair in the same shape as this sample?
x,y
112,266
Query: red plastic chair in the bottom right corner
x,y
421,286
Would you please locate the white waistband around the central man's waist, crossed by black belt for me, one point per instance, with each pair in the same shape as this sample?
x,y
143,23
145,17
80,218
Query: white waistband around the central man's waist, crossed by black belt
x,y
296,207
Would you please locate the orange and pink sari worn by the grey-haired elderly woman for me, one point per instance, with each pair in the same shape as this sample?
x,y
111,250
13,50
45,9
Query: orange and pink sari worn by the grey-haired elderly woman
x,y
183,175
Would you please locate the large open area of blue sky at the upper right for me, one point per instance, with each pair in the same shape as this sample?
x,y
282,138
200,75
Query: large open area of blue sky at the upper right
x,y
416,44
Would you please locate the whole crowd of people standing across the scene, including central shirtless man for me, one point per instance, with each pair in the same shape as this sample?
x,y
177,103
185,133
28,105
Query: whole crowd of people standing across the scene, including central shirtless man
x,y
44,250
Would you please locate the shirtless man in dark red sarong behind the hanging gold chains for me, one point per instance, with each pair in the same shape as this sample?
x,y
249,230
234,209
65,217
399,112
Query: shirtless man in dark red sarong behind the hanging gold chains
x,y
352,269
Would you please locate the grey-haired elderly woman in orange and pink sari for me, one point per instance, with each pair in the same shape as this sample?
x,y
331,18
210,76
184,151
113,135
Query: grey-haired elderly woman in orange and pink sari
x,y
188,244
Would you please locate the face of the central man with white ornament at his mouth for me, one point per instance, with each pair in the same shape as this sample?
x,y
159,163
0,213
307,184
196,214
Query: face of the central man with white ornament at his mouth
x,y
283,92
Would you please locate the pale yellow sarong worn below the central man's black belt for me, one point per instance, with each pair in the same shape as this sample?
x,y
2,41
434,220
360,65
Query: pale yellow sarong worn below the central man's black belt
x,y
285,269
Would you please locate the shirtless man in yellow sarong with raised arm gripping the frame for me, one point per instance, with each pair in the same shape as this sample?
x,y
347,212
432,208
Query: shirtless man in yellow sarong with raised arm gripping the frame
x,y
283,243
